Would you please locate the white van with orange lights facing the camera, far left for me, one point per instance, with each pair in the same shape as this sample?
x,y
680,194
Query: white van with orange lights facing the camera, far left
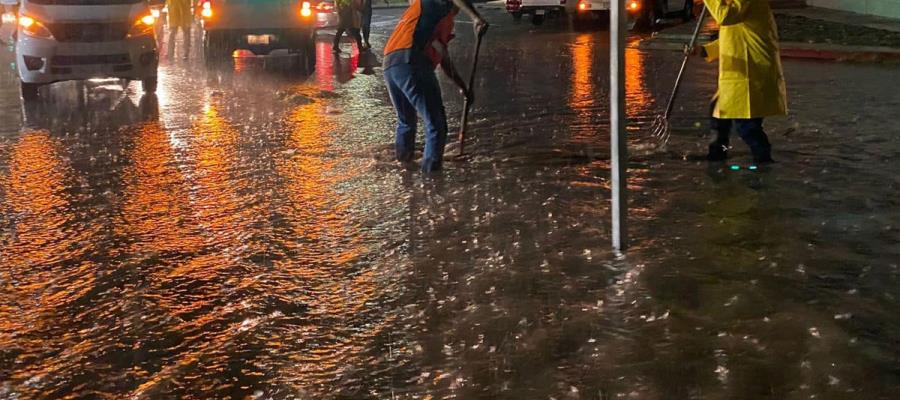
x,y
61,40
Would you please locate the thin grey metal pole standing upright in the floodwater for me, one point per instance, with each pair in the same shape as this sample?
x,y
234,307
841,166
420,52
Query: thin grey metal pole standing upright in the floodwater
x,y
618,144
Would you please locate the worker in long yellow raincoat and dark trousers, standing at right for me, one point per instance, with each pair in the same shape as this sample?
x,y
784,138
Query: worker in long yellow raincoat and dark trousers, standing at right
x,y
751,82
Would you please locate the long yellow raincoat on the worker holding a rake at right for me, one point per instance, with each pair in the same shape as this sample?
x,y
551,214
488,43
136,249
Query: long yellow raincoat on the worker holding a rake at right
x,y
751,82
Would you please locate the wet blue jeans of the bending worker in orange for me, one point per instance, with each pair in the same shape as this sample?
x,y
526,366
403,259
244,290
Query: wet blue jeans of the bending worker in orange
x,y
414,89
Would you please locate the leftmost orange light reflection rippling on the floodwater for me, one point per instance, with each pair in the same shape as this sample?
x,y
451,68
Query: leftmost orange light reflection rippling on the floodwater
x,y
39,277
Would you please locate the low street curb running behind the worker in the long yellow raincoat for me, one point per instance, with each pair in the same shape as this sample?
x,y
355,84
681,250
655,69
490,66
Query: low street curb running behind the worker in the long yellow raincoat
x,y
811,51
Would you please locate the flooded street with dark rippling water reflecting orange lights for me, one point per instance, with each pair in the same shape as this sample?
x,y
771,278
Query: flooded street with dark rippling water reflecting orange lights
x,y
245,234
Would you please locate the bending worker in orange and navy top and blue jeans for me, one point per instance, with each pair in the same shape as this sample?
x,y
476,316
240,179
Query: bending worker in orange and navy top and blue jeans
x,y
417,46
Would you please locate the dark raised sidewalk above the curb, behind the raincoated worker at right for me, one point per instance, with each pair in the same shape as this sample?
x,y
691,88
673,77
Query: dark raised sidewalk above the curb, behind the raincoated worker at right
x,y
810,32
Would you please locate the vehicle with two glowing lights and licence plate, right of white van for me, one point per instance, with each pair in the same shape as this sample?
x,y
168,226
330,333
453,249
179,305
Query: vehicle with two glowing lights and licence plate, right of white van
x,y
260,26
